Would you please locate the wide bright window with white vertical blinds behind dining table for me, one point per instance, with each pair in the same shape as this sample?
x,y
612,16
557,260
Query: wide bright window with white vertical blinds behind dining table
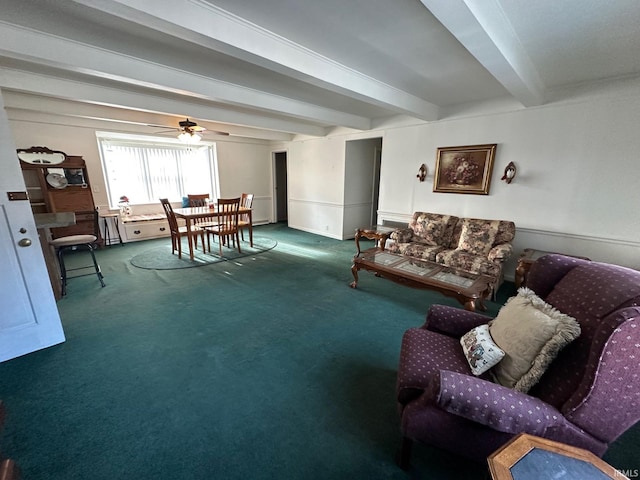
x,y
145,169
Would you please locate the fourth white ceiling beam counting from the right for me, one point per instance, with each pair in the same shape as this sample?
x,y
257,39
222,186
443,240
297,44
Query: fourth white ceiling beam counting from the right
x,y
86,93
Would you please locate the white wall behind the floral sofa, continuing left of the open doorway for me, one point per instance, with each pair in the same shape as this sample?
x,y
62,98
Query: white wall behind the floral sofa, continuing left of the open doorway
x,y
576,190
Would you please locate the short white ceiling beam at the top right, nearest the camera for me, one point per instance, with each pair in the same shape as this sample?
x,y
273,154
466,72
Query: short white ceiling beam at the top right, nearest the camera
x,y
482,27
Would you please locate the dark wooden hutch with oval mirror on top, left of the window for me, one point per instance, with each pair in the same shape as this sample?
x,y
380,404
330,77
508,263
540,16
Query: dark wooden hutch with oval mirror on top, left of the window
x,y
57,182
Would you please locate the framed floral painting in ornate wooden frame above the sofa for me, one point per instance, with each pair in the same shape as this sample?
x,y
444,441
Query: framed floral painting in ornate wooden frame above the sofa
x,y
464,169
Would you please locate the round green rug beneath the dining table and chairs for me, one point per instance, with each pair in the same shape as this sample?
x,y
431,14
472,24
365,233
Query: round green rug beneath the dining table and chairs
x,y
162,258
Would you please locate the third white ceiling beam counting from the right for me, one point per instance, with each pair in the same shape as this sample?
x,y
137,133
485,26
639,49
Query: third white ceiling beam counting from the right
x,y
25,44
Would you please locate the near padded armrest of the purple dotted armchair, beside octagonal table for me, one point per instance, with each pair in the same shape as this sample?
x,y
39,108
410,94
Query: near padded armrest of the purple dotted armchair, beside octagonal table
x,y
498,407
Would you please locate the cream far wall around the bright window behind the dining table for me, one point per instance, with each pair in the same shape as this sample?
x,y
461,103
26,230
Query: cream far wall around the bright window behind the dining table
x,y
243,165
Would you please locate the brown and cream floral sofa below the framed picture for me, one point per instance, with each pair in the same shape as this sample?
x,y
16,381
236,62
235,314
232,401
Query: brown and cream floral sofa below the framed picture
x,y
471,244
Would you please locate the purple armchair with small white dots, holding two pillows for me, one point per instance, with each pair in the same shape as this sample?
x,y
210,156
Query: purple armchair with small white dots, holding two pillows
x,y
588,396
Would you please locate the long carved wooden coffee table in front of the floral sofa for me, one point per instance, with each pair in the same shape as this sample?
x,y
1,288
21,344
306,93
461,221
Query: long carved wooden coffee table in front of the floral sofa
x,y
468,288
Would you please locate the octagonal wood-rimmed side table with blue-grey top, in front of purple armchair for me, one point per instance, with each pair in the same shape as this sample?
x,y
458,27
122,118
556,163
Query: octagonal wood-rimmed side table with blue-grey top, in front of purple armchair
x,y
527,457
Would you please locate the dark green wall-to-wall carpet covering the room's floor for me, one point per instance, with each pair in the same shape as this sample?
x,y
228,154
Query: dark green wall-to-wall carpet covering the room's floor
x,y
265,367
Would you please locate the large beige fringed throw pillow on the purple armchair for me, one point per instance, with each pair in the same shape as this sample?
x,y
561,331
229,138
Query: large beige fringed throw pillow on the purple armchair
x,y
531,332
